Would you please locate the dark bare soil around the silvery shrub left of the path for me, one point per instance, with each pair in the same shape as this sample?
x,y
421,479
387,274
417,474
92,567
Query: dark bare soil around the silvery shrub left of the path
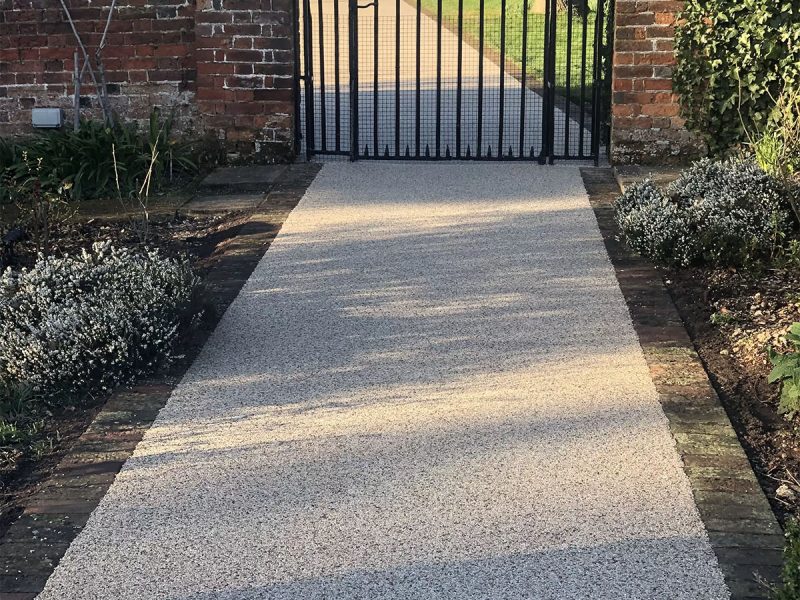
x,y
200,238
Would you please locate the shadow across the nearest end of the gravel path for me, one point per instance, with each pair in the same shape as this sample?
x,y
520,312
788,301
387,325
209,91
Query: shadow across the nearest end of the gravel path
x,y
645,568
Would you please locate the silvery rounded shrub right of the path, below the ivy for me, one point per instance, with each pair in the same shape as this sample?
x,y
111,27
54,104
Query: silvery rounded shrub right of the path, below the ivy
x,y
721,213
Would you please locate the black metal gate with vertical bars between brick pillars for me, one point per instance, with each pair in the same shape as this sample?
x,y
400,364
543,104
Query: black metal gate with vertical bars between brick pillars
x,y
454,79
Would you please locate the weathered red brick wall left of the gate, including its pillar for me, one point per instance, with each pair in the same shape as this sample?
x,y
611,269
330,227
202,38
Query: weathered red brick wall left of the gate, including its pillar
x,y
221,65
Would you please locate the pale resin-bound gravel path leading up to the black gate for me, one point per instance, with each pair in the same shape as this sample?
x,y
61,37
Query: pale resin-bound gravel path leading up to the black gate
x,y
430,387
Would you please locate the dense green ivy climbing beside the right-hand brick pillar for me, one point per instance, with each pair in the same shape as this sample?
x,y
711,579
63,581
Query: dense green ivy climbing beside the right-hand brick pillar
x,y
734,57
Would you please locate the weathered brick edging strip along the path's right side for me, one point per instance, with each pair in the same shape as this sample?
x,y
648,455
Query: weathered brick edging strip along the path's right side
x,y
742,528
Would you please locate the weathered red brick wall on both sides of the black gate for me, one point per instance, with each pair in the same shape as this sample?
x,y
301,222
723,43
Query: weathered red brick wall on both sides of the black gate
x,y
226,67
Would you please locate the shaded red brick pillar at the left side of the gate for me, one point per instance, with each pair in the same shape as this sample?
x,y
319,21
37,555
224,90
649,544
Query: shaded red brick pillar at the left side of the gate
x,y
245,70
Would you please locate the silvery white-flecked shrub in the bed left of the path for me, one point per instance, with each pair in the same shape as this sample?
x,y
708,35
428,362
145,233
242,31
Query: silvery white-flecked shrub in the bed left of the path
x,y
90,321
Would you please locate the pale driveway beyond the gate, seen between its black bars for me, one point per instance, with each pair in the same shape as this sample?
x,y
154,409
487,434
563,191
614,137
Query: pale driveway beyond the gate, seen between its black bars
x,y
377,129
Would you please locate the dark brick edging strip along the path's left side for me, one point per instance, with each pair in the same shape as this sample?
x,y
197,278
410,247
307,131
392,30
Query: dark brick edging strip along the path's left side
x,y
53,517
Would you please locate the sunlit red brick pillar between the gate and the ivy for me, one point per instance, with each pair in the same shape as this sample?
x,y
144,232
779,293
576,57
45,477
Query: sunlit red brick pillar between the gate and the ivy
x,y
645,124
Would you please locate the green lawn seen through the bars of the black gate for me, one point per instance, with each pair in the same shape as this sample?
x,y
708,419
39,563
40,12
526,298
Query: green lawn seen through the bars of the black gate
x,y
535,38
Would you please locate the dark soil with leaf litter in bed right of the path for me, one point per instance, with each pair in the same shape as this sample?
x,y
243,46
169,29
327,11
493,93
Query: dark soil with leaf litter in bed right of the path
x,y
732,318
